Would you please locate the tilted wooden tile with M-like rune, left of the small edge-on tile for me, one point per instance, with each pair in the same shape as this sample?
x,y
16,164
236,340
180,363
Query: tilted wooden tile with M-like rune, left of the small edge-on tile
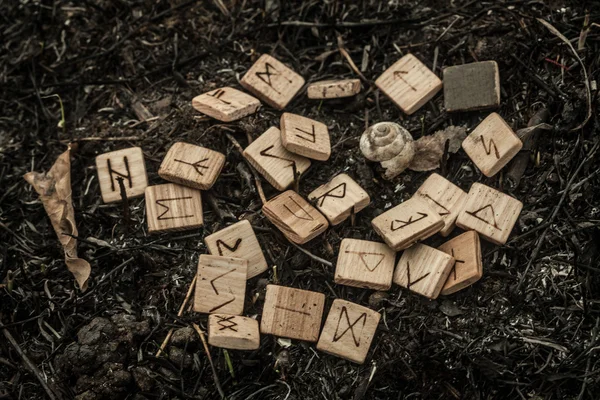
x,y
272,82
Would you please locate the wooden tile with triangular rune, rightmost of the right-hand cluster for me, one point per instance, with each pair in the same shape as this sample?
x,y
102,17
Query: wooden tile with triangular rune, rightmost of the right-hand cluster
x,y
490,213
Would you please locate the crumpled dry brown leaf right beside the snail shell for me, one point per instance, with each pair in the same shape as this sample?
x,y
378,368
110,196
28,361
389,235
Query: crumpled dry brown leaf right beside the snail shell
x,y
429,150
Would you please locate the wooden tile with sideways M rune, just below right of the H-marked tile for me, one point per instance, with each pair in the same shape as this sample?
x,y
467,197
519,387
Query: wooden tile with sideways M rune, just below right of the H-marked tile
x,y
172,207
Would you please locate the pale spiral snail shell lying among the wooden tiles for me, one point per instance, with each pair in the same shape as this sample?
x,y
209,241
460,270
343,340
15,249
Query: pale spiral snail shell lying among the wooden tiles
x,y
385,141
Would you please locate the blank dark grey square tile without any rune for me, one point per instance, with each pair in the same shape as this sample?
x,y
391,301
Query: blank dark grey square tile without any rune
x,y
474,86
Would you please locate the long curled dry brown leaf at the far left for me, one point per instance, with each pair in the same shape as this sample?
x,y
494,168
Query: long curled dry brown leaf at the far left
x,y
54,188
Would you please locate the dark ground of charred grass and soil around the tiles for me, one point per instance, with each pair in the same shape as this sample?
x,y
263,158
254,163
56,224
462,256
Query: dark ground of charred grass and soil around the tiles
x,y
527,330
